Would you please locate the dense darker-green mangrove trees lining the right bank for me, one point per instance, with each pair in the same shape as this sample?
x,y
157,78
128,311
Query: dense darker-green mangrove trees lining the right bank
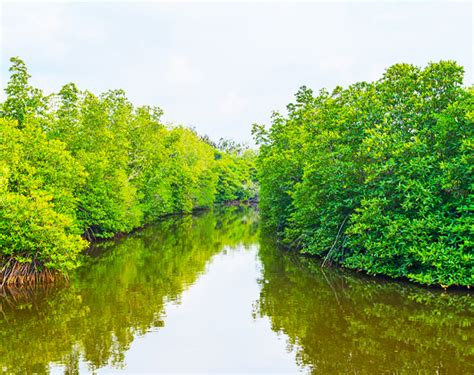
x,y
377,176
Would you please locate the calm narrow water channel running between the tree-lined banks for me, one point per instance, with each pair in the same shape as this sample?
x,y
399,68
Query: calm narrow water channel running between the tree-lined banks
x,y
211,293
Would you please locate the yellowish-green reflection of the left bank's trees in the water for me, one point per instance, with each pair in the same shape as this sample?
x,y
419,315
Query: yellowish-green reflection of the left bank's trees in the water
x,y
118,294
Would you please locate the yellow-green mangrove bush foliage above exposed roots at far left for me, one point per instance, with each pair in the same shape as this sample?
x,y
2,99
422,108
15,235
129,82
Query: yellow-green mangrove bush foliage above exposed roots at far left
x,y
37,204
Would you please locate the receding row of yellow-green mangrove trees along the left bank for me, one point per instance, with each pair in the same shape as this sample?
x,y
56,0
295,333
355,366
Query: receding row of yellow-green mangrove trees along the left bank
x,y
75,167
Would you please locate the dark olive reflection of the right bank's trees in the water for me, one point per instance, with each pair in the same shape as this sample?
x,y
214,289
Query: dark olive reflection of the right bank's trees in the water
x,y
342,323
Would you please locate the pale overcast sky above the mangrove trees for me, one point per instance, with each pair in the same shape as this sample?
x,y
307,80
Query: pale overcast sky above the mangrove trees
x,y
222,66
